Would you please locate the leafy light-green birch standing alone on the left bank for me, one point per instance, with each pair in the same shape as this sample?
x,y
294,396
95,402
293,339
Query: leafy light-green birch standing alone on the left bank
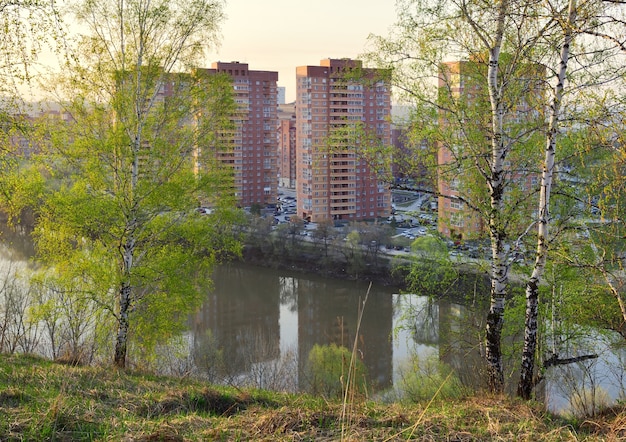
x,y
136,159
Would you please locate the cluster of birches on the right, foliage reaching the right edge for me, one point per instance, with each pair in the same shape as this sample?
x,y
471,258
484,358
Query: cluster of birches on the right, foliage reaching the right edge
x,y
539,93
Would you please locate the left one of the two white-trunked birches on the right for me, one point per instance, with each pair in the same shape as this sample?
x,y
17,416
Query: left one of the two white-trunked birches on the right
x,y
474,116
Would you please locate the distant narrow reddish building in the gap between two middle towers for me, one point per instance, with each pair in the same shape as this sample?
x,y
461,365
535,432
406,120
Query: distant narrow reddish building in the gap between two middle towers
x,y
287,145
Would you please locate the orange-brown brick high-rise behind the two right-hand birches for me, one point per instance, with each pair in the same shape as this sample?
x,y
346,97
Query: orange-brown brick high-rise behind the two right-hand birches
x,y
465,84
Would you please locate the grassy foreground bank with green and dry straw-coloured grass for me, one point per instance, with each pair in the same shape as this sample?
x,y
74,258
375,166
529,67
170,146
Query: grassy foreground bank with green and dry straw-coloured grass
x,y
42,400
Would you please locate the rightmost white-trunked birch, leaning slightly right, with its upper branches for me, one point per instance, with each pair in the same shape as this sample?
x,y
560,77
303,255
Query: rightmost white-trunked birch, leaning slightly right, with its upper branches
x,y
599,29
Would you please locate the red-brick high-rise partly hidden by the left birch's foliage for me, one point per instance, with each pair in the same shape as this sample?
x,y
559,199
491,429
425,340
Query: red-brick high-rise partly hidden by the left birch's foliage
x,y
255,145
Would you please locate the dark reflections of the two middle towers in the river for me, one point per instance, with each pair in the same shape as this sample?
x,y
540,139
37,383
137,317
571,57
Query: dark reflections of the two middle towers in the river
x,y
256,315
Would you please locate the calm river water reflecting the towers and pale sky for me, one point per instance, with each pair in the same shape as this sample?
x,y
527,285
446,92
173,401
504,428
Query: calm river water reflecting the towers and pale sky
x,y
258,325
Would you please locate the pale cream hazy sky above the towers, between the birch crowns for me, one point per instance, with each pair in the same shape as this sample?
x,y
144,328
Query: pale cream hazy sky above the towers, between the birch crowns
x,y
279,35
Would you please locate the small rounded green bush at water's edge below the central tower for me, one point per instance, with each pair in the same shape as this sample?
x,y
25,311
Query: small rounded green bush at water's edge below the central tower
x,y
328,368
